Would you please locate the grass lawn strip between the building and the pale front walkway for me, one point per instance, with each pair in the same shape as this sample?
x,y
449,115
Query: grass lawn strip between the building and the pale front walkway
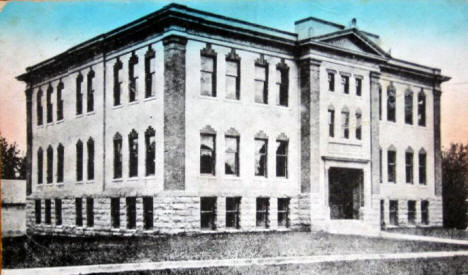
x,y
41,251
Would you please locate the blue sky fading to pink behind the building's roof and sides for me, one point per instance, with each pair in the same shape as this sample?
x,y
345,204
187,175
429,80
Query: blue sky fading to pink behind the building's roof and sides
x,y
433,33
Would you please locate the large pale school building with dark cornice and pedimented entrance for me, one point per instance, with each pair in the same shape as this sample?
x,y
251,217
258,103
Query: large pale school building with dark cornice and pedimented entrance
x,y
188,121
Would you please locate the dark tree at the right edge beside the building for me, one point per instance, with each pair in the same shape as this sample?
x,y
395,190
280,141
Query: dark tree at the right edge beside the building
x,y
455,185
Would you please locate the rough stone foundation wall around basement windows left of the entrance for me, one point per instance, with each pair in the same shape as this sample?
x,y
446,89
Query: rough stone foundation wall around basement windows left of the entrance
x,y
171,215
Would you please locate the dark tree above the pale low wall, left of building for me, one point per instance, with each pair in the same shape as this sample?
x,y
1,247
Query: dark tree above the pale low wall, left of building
x,y
13,163
